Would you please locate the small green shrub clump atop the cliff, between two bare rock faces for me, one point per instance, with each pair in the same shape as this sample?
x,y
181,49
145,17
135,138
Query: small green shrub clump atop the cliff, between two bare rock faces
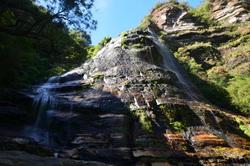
x,y
202,13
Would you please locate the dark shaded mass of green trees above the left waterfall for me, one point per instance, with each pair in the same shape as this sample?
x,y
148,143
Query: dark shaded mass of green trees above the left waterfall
x,y
32,46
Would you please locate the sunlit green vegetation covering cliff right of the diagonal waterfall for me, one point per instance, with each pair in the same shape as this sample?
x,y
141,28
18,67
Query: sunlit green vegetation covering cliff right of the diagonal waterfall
x,y
215,56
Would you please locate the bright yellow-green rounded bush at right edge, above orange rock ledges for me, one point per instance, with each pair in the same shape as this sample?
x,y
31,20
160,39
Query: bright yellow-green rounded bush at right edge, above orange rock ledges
x,y
239,91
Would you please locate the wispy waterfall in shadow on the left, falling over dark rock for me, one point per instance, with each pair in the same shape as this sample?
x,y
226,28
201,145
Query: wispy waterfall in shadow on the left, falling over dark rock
x,y
44,106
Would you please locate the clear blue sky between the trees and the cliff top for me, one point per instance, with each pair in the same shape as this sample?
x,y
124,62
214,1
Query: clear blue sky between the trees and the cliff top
x,y
117,16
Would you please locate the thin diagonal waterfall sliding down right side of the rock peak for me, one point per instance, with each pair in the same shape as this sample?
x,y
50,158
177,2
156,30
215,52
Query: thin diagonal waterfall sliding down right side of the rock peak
x,y
171,64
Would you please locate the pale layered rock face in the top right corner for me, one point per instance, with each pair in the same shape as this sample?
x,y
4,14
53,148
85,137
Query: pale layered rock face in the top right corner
x,y
228,12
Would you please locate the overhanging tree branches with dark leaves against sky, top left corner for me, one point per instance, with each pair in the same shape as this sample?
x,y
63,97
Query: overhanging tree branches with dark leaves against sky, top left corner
x,y
24,18
